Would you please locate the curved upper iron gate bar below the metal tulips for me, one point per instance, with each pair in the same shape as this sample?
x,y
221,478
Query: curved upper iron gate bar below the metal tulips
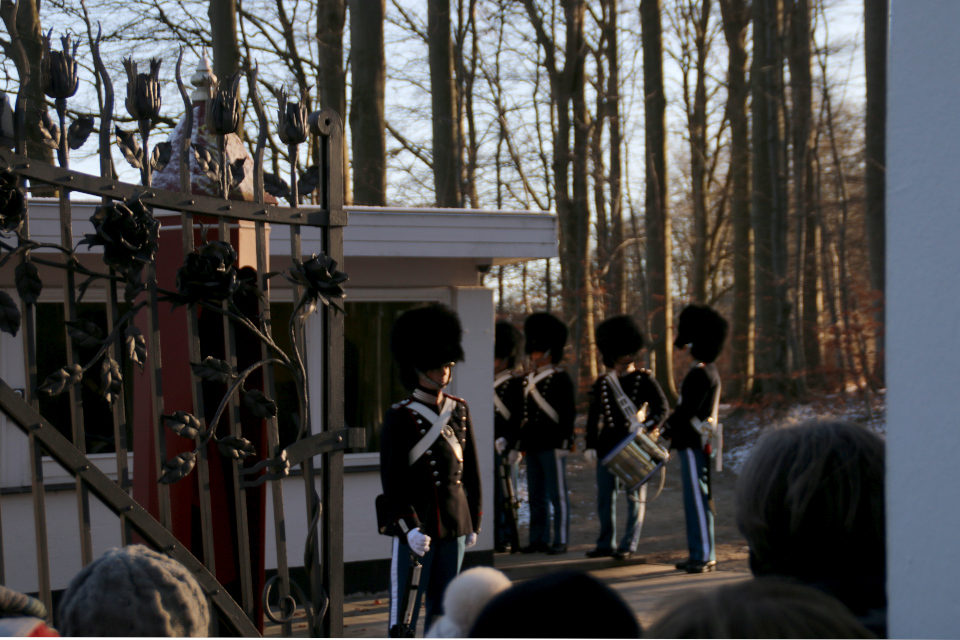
x,y
170,200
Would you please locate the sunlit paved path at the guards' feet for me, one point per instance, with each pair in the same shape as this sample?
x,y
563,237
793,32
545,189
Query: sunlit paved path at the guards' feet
x,y
645,587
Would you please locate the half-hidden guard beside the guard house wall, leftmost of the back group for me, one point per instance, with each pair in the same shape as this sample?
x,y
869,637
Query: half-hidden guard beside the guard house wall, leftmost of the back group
x,y
507,413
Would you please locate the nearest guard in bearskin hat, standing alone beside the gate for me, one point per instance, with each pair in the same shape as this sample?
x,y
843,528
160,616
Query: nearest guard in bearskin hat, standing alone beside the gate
x,y
428,463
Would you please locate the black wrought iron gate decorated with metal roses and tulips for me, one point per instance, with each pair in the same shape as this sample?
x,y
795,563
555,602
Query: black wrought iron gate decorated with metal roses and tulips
x,y
126,229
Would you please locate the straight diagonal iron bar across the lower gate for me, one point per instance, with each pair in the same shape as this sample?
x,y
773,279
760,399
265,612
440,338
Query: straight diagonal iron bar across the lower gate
x,y
117,500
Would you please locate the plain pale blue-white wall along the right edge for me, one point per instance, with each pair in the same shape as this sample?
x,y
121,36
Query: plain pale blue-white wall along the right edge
x,y
923,319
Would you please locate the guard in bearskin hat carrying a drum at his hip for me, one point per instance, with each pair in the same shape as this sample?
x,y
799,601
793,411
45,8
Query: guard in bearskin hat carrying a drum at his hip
x,y
623,400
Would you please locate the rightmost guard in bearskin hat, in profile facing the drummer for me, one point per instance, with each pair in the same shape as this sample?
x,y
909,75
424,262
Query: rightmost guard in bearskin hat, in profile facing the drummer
x,y
702,331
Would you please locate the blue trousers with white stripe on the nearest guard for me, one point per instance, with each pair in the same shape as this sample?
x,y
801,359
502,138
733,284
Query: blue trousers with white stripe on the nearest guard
x,y
441,564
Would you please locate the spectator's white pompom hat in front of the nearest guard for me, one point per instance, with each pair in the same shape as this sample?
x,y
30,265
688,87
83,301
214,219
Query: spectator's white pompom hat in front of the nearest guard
x,y
464,599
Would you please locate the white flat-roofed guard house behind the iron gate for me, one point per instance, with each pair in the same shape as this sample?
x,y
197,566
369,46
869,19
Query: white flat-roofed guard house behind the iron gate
x,y
396,258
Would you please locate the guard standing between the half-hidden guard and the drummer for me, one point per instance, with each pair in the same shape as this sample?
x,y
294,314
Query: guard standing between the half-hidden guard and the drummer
x,y
546,432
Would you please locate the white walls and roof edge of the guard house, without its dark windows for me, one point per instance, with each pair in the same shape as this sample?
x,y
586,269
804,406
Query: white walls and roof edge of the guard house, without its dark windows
x,y
391,255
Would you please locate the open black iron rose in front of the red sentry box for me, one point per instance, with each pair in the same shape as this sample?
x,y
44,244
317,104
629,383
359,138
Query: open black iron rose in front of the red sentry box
x,y
208,274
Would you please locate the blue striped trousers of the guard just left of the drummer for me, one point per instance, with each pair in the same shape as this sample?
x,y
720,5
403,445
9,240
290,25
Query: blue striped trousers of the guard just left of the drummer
x,y
547,485
